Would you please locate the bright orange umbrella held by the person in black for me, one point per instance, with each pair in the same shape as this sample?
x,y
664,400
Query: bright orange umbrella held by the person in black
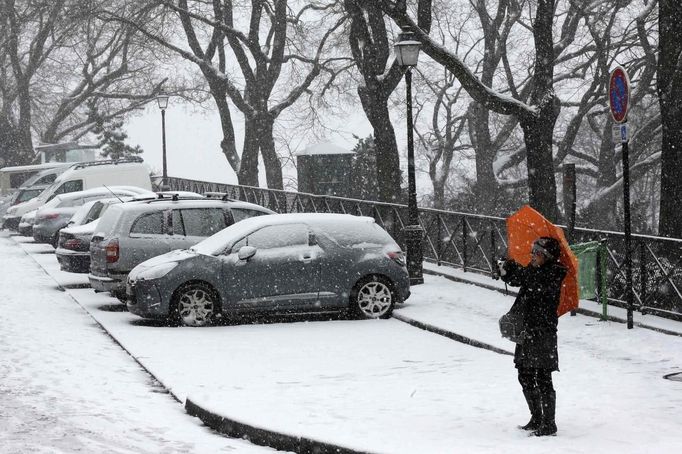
x,y
523,228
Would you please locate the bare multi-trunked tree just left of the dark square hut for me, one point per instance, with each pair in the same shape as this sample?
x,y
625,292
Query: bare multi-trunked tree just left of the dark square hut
x,y
262,61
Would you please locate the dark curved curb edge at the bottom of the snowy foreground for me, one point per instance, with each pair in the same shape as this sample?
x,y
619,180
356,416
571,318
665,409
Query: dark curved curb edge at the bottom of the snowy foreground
x,y
263,437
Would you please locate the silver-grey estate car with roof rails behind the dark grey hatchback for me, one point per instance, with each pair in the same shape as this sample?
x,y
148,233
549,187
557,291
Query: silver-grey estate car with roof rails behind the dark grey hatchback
x,y
133,232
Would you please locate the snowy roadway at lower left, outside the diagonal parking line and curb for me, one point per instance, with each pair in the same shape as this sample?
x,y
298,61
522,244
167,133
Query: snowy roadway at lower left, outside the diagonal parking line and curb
x,y
67,387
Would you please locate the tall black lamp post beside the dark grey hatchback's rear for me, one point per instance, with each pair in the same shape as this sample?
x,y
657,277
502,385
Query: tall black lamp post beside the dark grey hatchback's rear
x,y
407,54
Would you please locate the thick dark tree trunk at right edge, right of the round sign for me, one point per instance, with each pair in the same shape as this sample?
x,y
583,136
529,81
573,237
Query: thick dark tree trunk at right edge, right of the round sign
x,y
670,99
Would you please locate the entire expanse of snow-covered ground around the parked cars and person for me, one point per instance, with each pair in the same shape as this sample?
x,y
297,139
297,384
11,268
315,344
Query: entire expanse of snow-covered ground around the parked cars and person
x,y
378,386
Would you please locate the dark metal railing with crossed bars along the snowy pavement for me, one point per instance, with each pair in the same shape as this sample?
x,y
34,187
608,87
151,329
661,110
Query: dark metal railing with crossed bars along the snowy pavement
x,y
473,242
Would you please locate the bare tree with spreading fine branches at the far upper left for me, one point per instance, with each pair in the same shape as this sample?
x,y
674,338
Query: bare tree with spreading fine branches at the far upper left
x,y
67,71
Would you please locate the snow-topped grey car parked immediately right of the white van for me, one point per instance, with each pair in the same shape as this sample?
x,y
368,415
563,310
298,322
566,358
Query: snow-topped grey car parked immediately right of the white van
x,y
56,213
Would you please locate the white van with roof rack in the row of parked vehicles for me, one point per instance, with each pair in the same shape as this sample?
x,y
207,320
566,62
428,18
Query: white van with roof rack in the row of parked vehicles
x,y
82,176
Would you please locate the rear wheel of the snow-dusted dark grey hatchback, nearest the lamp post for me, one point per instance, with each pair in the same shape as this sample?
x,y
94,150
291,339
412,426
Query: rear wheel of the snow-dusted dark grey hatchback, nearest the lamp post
x,y
372,297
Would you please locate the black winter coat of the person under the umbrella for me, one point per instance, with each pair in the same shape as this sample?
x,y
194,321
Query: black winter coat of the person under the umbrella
x,y
537,301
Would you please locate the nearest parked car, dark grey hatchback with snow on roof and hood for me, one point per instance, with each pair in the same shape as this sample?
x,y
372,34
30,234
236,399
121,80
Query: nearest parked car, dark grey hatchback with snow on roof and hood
x,y
282,263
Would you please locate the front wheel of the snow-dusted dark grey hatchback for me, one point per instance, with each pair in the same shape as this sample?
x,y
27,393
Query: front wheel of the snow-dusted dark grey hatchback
x,y
196,304
